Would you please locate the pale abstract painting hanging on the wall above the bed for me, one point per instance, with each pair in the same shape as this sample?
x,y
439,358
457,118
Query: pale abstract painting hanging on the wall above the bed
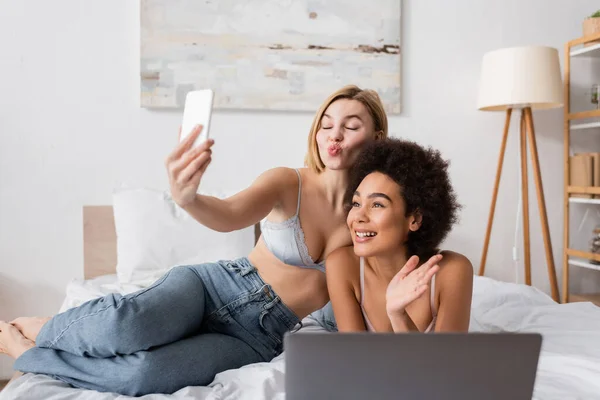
x,y
268,54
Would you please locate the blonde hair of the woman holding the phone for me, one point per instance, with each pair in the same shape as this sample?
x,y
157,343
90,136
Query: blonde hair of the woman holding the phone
x,y
369,98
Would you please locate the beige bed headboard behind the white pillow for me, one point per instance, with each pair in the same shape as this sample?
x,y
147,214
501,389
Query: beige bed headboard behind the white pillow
x,y
100,241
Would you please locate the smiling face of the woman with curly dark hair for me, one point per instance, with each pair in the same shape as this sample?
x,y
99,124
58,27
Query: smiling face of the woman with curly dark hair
x,y
377,220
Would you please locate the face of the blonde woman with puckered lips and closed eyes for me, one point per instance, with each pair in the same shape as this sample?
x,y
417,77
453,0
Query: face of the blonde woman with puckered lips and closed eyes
x,y
345,126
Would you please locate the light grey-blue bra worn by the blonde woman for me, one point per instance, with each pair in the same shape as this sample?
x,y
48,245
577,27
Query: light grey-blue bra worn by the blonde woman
x,y
286,239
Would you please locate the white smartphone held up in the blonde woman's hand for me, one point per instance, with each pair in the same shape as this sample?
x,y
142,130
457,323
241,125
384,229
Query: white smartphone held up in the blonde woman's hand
x,y
197,111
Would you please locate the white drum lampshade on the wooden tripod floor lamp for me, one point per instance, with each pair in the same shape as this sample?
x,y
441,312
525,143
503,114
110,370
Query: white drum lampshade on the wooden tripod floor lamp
x,y
520,77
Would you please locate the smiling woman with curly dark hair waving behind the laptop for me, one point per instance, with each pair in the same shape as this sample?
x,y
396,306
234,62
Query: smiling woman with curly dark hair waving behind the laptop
x,y
395,279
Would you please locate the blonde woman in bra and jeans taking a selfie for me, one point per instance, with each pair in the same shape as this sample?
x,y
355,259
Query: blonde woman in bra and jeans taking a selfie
x,y
199,320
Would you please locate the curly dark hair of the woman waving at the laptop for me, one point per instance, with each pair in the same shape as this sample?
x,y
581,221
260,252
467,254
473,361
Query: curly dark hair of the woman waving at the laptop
x,y
424,183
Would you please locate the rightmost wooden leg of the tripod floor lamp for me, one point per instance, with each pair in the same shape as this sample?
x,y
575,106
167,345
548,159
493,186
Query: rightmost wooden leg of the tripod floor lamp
x,y
541,204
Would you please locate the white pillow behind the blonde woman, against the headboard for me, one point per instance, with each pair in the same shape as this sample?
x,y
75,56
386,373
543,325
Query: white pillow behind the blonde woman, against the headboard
x,y
154,234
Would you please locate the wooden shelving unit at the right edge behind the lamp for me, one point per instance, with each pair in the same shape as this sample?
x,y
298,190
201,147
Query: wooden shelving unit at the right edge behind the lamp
x,y
573,122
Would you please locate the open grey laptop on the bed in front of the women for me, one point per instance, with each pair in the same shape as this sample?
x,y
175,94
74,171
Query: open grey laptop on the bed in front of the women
x,y
452,366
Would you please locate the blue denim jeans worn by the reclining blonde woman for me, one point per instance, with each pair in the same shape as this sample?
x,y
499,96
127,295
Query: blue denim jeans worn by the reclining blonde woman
x,y
193,323
